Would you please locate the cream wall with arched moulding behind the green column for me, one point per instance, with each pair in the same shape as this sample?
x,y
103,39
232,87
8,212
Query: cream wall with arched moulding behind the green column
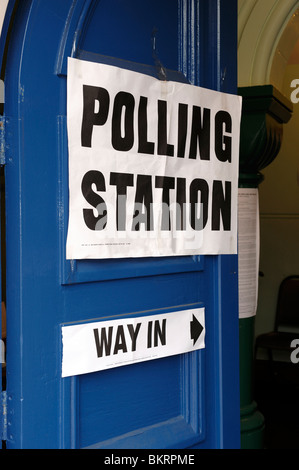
x,y
268,31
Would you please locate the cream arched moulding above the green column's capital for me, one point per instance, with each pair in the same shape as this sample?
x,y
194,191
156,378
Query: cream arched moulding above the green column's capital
x,y
268,32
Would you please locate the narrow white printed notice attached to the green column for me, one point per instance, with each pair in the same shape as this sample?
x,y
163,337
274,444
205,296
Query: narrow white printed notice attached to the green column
x,y
249,249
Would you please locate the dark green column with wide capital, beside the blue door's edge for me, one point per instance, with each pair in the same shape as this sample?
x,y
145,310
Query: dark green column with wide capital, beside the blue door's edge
x,y
264,112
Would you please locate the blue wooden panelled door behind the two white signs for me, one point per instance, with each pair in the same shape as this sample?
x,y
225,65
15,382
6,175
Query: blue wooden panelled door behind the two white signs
x,y
183,401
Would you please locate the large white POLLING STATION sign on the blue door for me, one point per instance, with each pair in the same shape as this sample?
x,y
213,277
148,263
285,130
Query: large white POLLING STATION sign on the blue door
x,y
153,165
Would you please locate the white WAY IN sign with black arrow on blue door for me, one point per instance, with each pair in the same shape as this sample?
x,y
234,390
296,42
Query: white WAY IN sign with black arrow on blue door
x,y
102,345
